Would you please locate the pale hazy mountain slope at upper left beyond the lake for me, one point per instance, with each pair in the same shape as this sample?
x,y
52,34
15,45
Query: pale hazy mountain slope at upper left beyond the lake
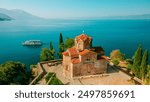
x,y
19,14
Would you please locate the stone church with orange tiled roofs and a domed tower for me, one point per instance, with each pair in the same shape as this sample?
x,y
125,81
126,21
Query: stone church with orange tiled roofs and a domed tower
x,y
82,59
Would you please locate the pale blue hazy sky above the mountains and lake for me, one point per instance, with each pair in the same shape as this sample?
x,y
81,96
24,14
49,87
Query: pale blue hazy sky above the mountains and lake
x,y
79,8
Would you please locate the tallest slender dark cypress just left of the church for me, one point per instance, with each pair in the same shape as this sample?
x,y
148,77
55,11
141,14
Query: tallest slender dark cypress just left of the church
x,y
61,46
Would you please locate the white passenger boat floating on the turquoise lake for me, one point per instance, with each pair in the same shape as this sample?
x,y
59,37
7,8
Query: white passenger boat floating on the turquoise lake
x,y
32,43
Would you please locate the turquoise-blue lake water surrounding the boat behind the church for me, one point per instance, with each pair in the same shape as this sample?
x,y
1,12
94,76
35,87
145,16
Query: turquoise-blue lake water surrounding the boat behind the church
x,y
125,35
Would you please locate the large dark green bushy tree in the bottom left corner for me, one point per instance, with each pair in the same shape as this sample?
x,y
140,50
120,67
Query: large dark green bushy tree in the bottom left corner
x,y
13,73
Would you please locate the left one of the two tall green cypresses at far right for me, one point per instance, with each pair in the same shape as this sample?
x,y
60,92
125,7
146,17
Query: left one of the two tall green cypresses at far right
x,y
137,61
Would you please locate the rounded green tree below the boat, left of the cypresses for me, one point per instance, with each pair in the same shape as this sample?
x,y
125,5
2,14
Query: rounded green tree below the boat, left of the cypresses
x,y
45,55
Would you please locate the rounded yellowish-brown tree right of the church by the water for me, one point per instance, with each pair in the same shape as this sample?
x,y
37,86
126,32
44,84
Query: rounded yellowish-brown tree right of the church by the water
x,y
117,54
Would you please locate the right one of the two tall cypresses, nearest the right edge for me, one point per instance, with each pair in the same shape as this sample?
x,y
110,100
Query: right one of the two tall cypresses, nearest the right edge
x,y
144,65
